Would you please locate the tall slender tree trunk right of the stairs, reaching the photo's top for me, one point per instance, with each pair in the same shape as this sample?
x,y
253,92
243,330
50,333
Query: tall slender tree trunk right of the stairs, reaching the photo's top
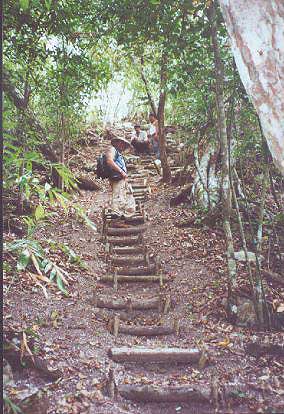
x,y
226,188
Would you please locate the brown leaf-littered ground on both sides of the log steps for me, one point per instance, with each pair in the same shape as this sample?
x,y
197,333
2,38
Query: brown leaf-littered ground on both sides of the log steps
x,y
72,335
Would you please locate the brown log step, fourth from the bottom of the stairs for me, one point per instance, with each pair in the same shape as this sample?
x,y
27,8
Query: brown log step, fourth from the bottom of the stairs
x,y
129,303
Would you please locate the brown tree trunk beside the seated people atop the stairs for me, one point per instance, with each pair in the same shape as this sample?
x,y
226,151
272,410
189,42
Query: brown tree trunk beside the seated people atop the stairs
x,y
161,120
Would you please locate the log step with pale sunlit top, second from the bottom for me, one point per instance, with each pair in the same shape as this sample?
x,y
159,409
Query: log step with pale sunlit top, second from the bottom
x,y
156,355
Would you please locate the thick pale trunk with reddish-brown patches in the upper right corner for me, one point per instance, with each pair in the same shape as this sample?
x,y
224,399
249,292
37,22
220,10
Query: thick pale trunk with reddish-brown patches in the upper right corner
x,y
256,32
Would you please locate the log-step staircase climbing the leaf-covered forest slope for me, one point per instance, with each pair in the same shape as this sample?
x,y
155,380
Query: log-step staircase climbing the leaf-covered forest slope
x,y
144,285
